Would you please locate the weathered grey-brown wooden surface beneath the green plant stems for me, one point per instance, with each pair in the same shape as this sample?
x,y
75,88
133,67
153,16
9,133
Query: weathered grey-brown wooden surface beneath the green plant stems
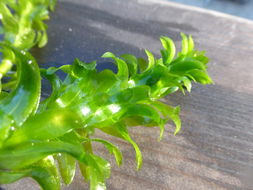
x,y
214,149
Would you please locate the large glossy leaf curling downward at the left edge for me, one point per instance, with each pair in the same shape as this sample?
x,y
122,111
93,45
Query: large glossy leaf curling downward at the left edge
x,y
24,99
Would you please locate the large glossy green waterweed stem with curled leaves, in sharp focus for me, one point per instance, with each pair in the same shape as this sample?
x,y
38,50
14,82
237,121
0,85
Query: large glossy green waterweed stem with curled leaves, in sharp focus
x,y
46,140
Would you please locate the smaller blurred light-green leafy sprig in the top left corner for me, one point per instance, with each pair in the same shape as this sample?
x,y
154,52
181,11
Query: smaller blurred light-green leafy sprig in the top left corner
x,y
22,27
